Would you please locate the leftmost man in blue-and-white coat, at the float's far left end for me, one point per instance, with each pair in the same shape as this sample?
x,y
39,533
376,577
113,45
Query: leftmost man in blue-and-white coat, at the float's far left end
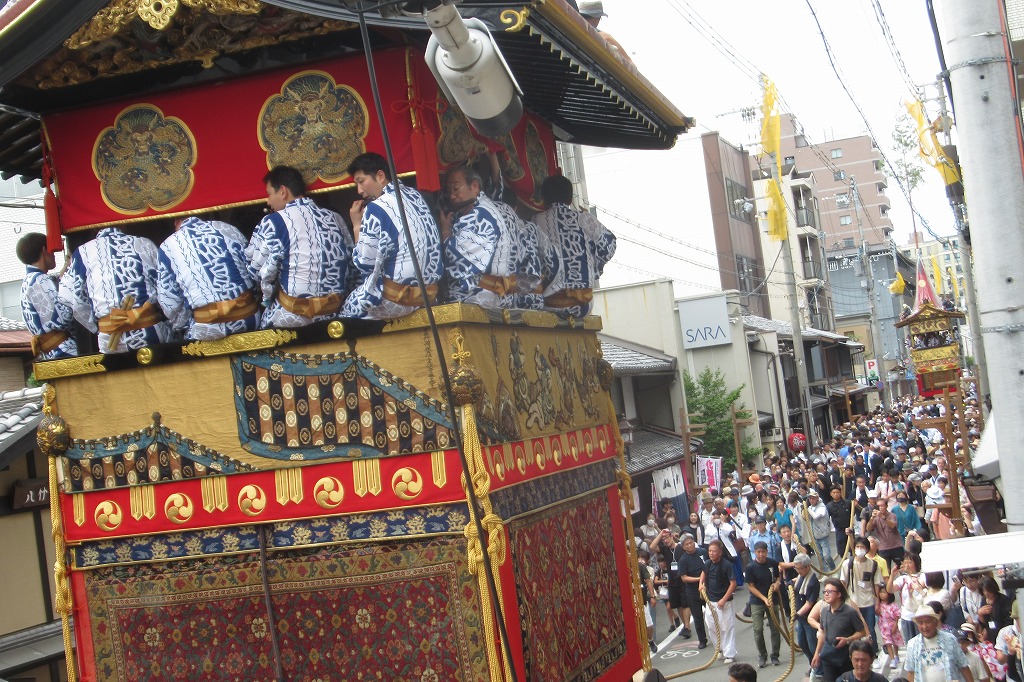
x,y
48,318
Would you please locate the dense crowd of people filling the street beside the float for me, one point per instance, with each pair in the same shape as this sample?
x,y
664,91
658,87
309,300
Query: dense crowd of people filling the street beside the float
x,y
847,573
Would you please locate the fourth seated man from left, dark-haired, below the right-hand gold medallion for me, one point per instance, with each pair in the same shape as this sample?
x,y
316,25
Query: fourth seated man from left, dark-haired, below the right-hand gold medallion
x,y
298,255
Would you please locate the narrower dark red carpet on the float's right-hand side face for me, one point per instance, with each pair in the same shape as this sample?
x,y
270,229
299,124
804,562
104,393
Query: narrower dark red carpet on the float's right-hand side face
x,y
568,586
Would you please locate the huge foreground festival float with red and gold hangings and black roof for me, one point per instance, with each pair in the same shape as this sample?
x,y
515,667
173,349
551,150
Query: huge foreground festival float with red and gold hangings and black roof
x,y
293,504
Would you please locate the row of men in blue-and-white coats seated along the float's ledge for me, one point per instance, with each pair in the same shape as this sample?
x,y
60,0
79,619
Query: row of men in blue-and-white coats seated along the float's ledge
x,y
304,264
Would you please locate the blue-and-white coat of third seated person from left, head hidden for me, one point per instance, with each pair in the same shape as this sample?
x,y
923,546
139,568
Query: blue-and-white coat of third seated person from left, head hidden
x,y
201,264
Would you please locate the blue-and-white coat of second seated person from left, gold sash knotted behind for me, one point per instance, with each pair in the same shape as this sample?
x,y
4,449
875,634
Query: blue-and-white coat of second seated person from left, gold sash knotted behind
x,y
103,274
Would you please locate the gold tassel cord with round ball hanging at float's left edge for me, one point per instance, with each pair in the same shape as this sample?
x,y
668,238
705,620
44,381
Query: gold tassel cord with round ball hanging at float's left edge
x,y
54,441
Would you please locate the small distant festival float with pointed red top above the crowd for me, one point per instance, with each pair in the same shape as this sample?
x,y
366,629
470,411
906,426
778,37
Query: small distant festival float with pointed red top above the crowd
x,y
933,340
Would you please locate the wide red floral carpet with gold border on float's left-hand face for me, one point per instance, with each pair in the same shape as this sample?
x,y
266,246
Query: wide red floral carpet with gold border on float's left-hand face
x,y
393,612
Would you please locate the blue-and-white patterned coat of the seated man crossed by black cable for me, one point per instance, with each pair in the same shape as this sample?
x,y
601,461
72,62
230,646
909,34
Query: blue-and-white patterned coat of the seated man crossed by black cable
x,y
382,252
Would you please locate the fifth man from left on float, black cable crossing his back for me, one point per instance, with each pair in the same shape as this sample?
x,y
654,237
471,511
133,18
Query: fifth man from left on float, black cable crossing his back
x,y
387,284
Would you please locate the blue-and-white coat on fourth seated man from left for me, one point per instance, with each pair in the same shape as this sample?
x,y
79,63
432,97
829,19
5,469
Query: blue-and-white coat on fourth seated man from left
x,y
304,250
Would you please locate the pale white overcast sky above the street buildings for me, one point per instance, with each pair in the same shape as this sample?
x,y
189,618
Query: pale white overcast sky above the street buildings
x,y
679,46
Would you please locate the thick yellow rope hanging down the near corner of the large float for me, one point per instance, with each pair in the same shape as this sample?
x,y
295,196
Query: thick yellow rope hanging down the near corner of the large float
x,y
495,529
